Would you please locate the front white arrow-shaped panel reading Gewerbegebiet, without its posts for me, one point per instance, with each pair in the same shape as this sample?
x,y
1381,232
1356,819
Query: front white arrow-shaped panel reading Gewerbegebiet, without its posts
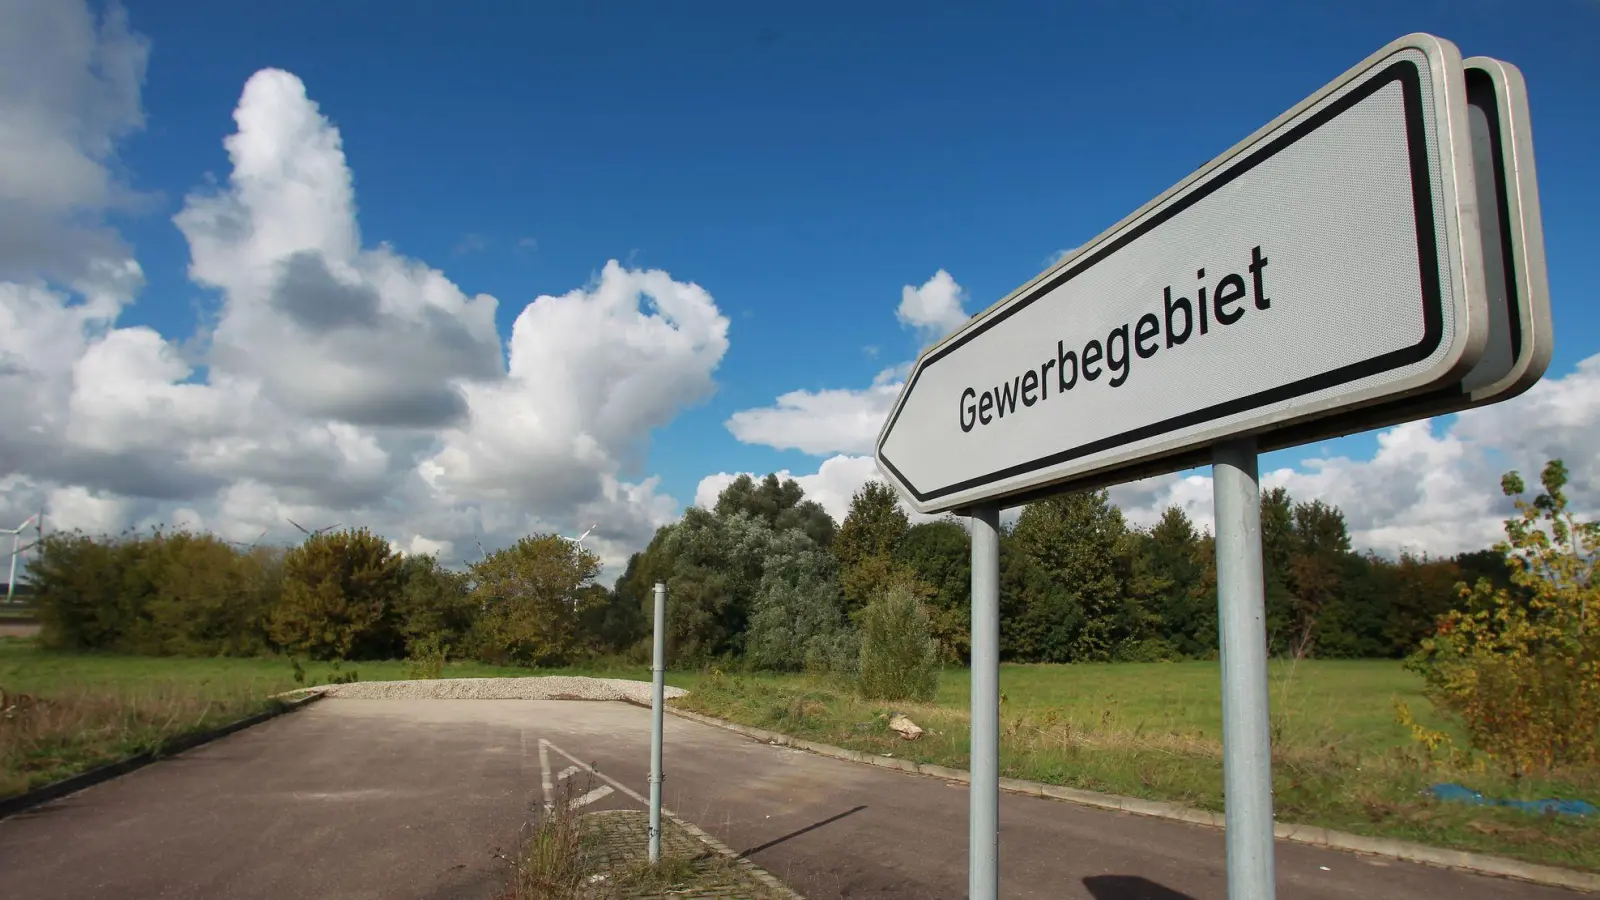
x,y
1329,263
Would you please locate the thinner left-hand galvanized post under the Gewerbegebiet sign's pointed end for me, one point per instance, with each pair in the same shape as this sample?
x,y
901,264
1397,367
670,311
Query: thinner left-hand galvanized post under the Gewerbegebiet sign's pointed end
x,y
983,851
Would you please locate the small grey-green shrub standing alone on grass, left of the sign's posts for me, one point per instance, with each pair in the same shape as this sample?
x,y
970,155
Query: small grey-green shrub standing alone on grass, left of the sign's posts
x,y
900,659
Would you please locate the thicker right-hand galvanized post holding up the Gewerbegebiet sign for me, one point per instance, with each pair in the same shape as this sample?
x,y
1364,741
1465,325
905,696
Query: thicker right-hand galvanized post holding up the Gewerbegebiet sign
x,y
1247,739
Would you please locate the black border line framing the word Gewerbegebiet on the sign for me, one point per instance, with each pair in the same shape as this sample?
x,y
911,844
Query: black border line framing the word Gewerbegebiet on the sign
x,y
1410,79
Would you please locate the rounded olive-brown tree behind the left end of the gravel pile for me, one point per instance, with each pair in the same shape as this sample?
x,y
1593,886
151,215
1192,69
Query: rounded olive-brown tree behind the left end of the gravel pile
x,y
340,598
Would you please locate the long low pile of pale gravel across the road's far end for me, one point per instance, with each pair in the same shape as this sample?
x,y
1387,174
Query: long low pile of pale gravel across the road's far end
x,y
542,688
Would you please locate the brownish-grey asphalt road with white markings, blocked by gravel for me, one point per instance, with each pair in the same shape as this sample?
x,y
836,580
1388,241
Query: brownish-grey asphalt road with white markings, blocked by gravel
x,y
388,800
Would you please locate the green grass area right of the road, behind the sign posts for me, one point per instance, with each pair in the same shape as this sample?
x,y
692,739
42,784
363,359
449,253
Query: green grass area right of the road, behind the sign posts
x,y
1154,731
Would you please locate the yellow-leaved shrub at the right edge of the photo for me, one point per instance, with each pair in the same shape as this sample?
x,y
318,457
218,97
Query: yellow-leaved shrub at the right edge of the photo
x,y
1522,670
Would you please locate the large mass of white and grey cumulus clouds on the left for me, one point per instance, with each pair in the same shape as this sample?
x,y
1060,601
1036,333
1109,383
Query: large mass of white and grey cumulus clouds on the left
x,y
337,382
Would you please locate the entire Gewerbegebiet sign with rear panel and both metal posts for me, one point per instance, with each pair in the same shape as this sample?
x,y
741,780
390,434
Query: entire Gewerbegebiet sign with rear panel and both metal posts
x,y
1370,257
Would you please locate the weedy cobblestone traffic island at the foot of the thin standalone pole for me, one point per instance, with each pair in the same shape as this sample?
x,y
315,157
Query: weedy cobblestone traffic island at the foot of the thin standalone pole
x,y
623,845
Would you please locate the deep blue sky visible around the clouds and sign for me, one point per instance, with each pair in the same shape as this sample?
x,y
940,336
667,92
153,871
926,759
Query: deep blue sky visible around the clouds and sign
x,y
802,167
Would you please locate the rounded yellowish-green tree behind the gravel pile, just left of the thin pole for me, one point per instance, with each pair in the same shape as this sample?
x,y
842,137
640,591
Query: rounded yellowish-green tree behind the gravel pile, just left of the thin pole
x,y
532,597
